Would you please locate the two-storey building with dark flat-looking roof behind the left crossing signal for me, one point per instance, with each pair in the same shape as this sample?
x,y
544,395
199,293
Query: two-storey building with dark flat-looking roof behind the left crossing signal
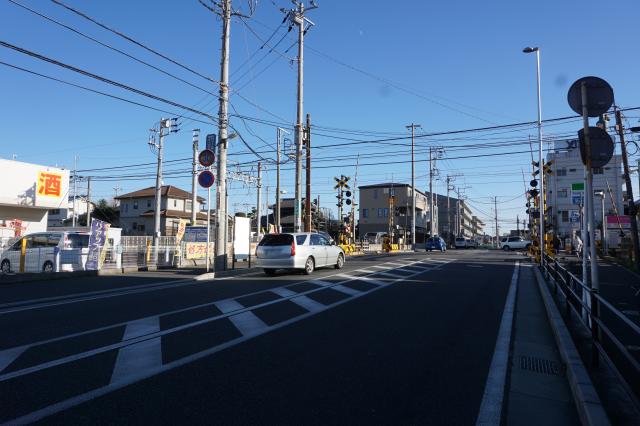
x,y
375,213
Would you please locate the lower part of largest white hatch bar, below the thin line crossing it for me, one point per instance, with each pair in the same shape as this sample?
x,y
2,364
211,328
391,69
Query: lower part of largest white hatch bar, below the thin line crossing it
x,y
138,358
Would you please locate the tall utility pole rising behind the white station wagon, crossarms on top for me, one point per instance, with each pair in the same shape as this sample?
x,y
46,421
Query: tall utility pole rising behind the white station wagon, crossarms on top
x,y
298,18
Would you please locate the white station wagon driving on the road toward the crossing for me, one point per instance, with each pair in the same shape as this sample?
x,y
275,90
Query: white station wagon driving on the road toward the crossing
x,y
300,251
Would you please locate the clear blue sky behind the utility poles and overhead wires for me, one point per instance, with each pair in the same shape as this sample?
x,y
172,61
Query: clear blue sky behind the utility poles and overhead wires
x,y
447,66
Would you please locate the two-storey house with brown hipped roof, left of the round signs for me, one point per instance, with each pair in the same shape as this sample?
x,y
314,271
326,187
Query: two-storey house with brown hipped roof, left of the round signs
x,y
137,210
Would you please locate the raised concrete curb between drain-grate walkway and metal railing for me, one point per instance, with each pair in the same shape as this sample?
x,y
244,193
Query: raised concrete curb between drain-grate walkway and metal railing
x,y
586,398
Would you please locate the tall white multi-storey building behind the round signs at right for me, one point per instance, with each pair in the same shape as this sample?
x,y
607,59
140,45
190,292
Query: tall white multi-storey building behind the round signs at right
x,y
565,188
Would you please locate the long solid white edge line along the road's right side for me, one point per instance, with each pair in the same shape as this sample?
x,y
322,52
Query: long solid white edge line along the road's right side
x,y
492,400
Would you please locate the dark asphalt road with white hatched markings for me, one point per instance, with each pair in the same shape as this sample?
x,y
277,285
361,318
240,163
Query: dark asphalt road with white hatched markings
x,y
405,338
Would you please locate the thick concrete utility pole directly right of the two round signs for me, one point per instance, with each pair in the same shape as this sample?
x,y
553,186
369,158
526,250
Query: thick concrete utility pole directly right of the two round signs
x,y
223,121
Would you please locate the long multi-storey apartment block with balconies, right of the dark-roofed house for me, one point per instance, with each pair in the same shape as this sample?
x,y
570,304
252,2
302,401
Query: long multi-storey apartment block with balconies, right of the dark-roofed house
x,y
457,219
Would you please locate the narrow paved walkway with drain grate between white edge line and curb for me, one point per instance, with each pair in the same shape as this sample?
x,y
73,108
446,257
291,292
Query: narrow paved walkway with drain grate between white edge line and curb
x,y
538,391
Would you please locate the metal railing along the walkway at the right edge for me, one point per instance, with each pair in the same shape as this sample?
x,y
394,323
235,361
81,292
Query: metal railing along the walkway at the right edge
x,y
612,332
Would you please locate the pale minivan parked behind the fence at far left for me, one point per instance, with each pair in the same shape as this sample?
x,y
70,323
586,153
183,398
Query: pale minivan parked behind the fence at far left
x,y
48,252
